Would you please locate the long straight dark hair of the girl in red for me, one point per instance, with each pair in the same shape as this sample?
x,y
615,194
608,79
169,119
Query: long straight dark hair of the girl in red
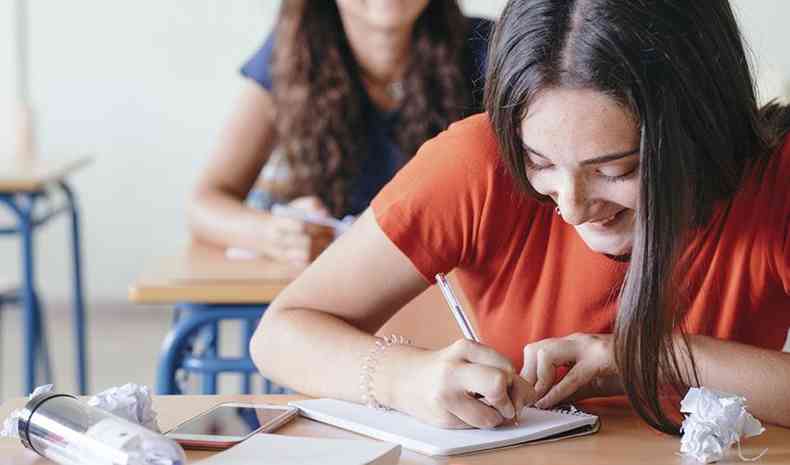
x,y
681,69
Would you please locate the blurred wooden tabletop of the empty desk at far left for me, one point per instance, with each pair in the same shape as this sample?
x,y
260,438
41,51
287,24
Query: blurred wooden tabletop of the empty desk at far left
x,y
28,176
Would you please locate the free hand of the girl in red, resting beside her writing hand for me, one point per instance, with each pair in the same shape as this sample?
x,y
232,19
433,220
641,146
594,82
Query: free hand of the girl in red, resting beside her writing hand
x,y
591,373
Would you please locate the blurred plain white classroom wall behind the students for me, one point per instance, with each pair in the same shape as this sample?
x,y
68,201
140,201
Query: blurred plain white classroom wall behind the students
x,y
144,86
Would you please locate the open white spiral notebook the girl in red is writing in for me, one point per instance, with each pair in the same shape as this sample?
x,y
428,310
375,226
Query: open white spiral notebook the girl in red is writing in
x,y
534,426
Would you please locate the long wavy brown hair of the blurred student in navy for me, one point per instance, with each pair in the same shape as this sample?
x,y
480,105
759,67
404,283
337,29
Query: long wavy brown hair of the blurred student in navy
x,y
320,98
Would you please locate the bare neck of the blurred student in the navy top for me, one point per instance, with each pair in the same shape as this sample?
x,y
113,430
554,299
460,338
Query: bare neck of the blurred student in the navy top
x,y
382,54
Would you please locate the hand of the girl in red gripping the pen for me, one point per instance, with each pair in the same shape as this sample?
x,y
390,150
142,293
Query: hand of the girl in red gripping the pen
x,y
440,392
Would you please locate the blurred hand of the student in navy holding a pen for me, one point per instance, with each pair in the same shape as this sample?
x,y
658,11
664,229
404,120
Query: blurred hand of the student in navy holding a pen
x,y
295,241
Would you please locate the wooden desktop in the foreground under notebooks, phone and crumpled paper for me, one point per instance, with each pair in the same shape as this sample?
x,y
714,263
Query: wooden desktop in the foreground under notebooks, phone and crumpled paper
x,y
623,438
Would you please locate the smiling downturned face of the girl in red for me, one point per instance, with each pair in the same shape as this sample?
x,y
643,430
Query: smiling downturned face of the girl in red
x,y
582,150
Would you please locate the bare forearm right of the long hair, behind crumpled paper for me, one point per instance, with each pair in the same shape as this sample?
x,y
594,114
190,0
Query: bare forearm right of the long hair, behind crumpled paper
x,y
762,376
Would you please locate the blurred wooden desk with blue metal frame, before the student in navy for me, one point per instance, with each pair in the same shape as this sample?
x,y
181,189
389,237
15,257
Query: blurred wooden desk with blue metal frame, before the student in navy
x,y
207,288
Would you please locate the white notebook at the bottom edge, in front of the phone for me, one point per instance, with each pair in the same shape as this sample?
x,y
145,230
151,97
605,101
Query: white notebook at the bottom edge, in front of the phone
x,y
275,449
